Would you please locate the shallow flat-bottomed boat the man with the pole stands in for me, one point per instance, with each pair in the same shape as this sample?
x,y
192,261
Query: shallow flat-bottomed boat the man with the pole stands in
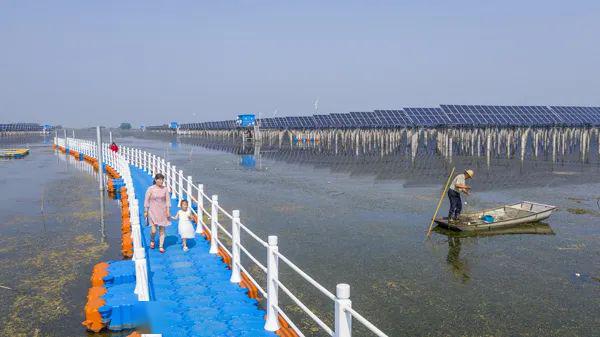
x,y
504,216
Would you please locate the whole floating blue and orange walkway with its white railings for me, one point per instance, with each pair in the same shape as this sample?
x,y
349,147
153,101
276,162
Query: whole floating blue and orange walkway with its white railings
x,y
206,291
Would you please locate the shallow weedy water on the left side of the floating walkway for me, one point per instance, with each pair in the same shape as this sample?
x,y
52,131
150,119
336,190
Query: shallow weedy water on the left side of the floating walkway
x,y
51,235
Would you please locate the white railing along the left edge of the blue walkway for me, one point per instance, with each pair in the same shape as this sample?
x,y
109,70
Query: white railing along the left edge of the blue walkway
x,y
119,162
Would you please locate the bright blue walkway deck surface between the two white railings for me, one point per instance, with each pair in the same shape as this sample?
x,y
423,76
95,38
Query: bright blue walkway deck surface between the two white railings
x,y
190,291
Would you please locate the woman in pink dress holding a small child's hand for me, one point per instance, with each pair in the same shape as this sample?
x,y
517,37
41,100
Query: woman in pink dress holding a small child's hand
x,y
157,210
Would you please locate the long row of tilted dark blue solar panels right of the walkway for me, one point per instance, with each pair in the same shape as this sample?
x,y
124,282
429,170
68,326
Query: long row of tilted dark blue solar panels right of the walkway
x,y
444,116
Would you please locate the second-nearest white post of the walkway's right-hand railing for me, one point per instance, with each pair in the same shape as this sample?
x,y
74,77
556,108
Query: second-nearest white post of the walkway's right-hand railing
x,y
272,323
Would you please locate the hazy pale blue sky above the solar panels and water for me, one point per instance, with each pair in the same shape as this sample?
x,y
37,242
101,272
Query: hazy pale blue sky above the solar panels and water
x,y
80,63
